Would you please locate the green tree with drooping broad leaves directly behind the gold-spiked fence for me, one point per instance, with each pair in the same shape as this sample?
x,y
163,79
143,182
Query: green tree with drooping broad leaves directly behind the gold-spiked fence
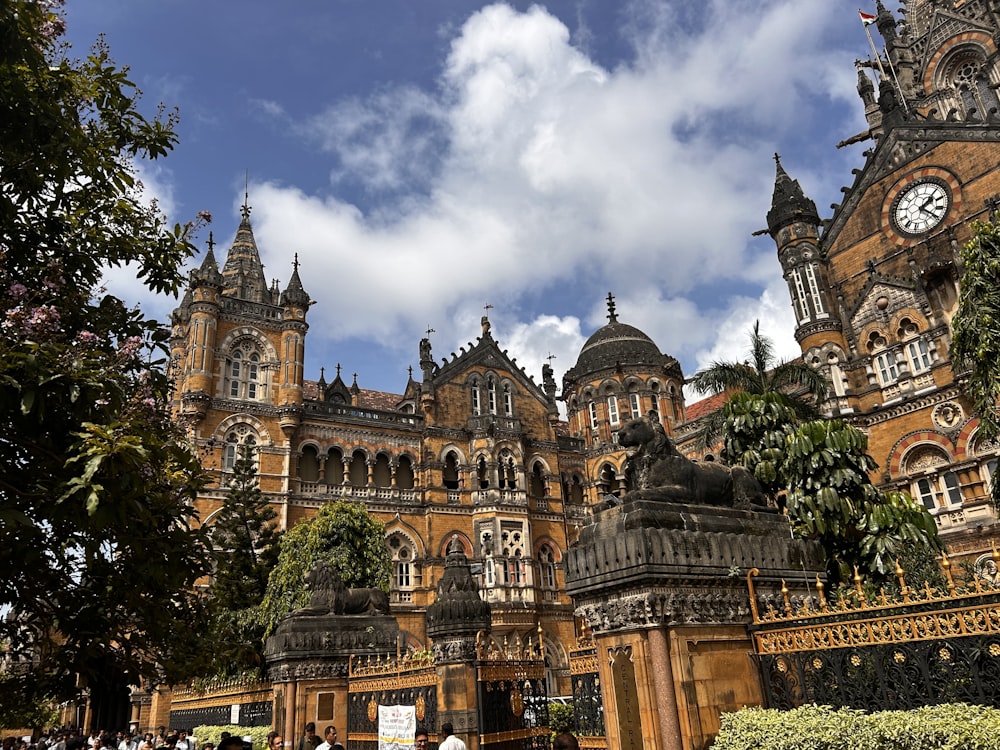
x,y
831,498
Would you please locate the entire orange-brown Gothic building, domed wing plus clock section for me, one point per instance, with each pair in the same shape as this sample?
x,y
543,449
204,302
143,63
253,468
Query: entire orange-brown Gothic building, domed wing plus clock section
x,y
475,450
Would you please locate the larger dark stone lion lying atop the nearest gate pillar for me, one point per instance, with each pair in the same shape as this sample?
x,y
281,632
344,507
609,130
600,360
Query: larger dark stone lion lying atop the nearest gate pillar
x,y
658,471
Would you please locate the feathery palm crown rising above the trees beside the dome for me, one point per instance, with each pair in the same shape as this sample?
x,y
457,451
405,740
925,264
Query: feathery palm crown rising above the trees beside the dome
x,y
803,386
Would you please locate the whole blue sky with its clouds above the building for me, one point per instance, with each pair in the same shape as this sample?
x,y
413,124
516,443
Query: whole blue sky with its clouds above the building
x,y
425,158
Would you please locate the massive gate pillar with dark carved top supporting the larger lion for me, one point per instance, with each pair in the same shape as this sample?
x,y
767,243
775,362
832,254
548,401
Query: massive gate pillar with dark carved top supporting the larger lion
x,y
662,586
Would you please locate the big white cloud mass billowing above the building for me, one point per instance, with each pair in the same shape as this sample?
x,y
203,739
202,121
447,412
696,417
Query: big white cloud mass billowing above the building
x,y
536,179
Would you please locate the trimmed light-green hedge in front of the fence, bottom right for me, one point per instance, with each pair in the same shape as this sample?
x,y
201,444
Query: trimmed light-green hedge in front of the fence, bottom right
x,y
949,726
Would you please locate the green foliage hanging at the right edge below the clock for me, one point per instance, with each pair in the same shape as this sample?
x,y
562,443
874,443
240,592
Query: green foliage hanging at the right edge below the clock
x,y
975,345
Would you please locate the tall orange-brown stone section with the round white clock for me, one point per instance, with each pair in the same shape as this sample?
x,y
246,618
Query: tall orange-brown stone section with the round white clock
x,y
874,286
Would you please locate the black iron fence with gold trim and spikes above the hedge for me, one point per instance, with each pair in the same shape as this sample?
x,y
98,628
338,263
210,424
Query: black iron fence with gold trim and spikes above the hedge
x,y
922,647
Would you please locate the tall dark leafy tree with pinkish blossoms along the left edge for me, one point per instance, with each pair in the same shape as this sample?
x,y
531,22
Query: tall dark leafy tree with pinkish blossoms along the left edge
x,y
98,558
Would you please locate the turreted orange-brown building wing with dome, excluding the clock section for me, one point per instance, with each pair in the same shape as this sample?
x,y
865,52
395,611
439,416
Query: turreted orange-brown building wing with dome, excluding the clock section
x,y
474,450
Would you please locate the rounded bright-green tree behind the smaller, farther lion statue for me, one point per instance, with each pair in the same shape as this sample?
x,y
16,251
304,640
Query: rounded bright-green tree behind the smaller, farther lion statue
x,y
343,534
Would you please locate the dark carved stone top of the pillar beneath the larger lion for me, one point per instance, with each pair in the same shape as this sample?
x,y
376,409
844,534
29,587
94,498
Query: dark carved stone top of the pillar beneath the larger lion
x,y
686,563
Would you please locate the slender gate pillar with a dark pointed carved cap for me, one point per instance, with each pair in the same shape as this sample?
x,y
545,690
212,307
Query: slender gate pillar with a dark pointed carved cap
x,y
454,620
